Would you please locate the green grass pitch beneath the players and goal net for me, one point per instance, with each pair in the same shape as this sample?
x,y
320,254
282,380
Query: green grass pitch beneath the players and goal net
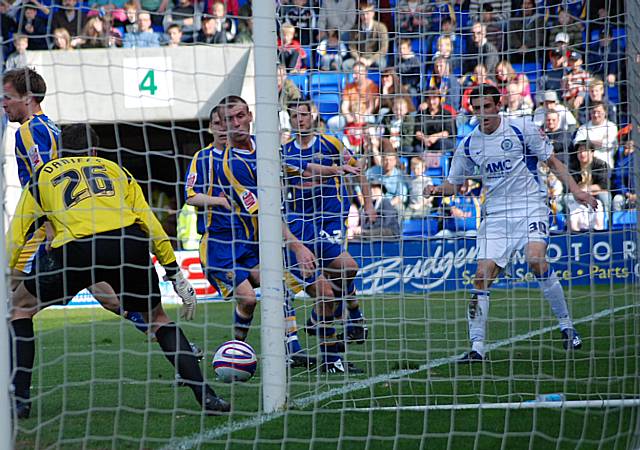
x,y
99,383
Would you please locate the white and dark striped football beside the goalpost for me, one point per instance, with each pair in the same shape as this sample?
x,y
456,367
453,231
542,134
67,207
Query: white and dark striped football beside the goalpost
x,y
235,361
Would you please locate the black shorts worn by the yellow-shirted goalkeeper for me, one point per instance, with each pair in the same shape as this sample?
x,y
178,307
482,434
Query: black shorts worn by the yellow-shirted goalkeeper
x,y
119,257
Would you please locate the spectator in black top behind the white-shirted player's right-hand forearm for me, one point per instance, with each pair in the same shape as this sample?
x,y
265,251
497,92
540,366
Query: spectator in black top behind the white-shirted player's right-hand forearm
x,y
592,175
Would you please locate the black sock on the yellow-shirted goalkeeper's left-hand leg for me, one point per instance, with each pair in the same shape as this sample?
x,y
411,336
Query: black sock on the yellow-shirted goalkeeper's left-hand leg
x,y
25,350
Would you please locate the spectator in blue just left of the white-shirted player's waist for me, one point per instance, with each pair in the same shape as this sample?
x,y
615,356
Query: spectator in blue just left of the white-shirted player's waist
x,y
462,211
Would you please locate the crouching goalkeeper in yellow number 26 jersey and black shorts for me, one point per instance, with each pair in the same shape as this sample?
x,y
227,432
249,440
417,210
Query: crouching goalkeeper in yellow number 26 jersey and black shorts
x,y
103,230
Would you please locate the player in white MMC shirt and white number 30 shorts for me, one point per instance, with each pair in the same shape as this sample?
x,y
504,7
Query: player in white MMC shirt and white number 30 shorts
x,y
504,153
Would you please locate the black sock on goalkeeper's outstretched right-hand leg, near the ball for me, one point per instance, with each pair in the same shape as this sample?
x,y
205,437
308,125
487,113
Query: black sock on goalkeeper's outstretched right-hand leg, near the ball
x,y
178,351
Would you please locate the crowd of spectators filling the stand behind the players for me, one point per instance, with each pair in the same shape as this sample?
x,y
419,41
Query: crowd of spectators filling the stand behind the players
x,y
402,81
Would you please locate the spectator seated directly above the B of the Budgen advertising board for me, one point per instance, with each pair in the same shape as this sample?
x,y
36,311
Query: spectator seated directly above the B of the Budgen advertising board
x,y
386,224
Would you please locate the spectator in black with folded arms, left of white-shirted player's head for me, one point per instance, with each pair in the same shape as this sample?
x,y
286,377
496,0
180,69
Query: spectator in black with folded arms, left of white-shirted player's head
x,y
437,125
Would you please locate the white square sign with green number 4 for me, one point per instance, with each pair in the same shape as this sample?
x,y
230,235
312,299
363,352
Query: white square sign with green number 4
x,y
148,82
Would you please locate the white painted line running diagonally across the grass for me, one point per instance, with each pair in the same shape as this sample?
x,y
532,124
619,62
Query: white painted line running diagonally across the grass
x,y
256,421
